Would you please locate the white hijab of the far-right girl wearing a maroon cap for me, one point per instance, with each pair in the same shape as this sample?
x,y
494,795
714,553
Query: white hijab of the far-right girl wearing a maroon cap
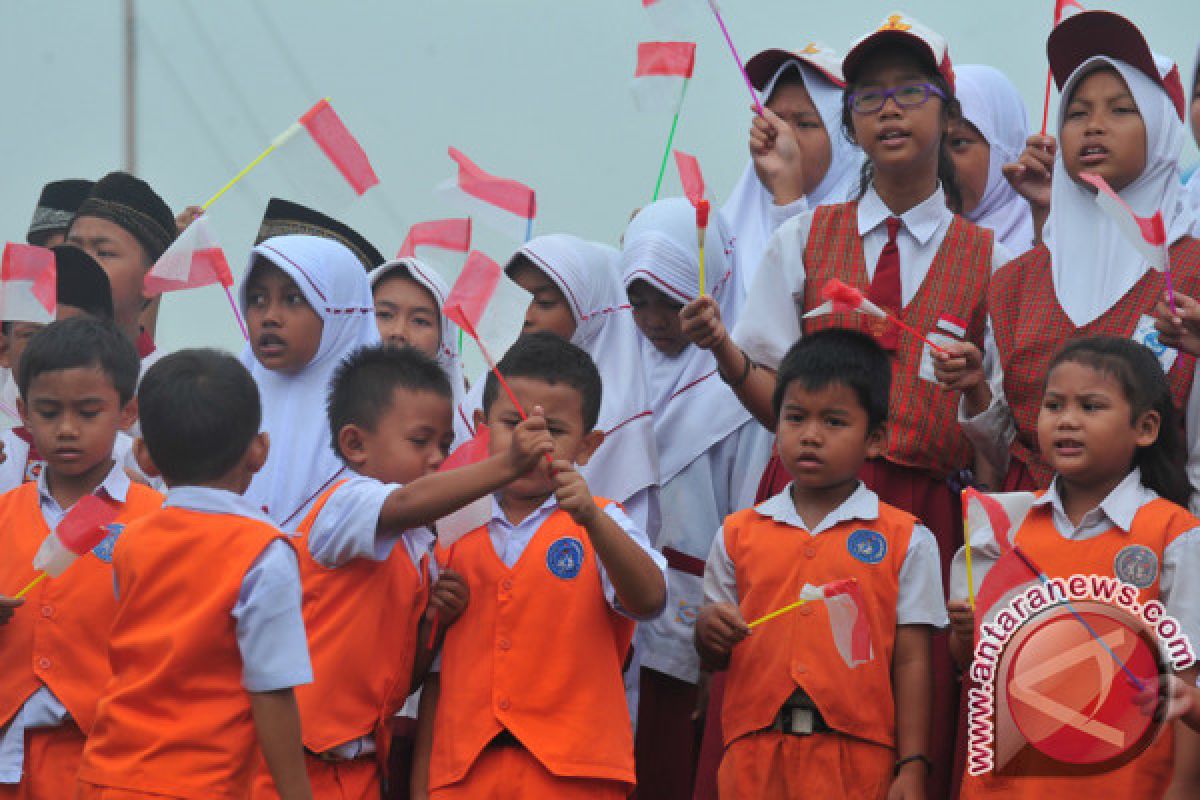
x,y
1094,266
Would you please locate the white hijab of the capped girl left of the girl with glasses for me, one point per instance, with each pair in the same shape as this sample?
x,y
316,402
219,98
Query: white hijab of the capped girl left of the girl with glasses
x,y
748,213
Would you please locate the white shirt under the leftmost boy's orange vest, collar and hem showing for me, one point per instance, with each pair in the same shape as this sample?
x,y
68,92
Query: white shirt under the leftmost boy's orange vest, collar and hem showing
x,y
44,709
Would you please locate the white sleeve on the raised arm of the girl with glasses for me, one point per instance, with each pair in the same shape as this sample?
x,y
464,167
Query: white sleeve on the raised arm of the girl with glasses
x,y
770,321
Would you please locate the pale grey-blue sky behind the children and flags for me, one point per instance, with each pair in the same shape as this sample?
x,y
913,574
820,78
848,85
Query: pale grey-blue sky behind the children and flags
x,y
531,89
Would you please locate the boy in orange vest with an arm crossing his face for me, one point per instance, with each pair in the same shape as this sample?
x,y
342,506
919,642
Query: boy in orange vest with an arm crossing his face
x,y
535,705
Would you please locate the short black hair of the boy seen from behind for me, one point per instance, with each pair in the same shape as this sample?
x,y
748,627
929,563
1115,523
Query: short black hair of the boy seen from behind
x,y
200,413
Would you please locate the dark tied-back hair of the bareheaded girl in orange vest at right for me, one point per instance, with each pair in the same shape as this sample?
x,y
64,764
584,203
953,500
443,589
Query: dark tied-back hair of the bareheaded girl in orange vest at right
x,y
1163,464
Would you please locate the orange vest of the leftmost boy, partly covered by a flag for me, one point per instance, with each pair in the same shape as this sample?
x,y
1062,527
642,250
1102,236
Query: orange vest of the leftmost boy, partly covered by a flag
x,y
61,636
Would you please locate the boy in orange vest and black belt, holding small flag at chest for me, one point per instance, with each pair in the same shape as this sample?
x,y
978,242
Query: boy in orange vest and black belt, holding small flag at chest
x,y
796,718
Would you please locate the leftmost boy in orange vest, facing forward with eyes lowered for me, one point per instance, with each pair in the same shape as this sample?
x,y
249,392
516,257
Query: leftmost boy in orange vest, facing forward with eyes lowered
x,y
76,381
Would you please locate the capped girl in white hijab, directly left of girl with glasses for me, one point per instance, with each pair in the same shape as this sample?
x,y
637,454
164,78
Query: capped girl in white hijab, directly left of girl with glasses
x,y
799,157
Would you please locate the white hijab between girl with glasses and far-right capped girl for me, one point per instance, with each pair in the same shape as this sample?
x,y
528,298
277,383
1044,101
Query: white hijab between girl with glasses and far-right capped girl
x,y
992,104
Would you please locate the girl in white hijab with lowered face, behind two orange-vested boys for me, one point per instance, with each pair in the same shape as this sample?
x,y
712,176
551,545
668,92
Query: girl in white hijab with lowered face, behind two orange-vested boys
x,y
711,454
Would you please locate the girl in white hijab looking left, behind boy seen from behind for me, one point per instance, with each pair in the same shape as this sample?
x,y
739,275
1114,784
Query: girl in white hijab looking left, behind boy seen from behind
x,y
308,305
